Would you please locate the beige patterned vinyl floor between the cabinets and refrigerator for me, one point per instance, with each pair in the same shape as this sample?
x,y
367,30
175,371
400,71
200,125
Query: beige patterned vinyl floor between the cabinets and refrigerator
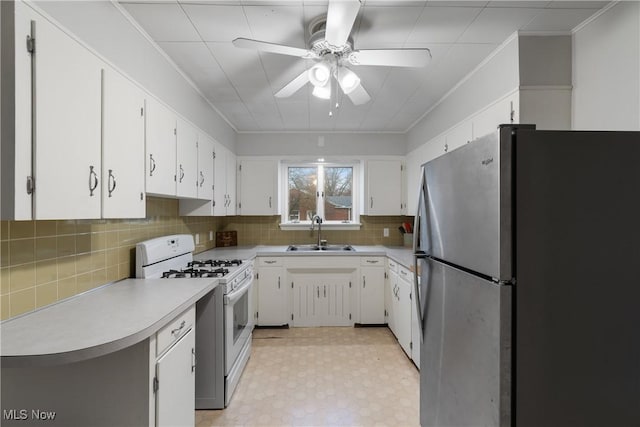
x,y
323,377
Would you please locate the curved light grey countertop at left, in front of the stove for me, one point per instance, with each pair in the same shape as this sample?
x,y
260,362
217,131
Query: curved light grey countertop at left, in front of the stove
x,y
97,322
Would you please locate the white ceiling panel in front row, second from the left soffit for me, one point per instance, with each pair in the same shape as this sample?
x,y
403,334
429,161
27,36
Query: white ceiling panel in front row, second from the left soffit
x,y
218,23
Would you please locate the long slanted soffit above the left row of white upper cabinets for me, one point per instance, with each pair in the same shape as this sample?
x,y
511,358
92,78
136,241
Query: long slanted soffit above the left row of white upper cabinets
x,y
106,30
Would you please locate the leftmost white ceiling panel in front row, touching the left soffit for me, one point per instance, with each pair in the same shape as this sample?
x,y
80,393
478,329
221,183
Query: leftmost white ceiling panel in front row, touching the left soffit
x,y
163,22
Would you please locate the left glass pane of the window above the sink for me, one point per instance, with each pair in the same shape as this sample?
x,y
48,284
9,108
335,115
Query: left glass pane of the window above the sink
x,y
303,186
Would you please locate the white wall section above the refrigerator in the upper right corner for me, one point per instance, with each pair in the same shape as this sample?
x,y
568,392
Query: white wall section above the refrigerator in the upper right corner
x,y
606,70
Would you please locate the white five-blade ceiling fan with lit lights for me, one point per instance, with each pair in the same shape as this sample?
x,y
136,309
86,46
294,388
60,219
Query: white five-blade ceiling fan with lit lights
x,y
332,49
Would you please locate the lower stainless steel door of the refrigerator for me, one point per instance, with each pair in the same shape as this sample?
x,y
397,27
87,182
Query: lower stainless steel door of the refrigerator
x,y
465,375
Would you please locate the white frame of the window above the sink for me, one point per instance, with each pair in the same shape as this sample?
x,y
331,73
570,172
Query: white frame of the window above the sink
x,y
356,192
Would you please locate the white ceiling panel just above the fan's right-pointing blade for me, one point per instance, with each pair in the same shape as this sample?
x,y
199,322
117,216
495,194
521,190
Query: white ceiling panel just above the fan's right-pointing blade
x,y
379,27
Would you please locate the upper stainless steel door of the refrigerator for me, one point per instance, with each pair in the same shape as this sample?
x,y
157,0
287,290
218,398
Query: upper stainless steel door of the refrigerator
x,y
468,206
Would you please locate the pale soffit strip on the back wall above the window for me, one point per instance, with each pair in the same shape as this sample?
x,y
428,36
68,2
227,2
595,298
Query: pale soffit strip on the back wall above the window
x,y
309,144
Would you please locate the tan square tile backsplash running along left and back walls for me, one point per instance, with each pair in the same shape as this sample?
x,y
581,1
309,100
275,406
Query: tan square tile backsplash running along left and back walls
x,y
42,262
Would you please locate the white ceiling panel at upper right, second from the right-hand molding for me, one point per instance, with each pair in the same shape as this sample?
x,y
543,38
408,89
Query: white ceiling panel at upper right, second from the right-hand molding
x,y
494,25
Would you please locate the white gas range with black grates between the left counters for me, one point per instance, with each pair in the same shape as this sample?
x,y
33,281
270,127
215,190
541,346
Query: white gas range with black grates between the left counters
x,y
224,324
